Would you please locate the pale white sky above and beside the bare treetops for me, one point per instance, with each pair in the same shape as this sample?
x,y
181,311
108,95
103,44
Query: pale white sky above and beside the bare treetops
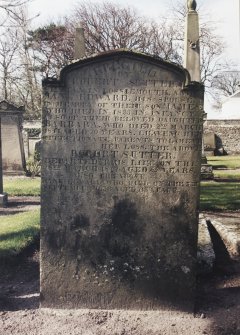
x,y
226,14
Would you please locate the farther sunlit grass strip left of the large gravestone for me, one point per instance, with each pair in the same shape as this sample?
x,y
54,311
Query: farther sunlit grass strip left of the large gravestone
x,y
22,186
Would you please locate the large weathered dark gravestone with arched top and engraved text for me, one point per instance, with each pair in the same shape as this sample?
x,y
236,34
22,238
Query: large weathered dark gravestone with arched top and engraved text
x,y
121,163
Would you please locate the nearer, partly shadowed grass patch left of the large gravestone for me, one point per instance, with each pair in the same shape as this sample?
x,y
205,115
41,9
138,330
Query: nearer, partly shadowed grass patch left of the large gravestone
x,y
17,232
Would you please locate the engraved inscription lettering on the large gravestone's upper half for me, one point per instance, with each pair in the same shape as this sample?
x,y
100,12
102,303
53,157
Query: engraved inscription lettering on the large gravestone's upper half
x,y
123,132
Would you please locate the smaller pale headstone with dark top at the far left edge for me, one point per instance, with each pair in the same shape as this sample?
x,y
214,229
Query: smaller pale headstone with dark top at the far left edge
x,y
13,158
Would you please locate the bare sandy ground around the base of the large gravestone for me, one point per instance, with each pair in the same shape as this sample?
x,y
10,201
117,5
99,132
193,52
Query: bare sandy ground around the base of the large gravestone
x,y
217,307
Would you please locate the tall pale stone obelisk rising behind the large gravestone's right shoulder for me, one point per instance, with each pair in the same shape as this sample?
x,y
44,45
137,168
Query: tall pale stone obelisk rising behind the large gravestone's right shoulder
x,y
192,49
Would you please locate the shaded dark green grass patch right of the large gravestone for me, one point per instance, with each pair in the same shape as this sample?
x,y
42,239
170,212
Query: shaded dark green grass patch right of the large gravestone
x,y
221,196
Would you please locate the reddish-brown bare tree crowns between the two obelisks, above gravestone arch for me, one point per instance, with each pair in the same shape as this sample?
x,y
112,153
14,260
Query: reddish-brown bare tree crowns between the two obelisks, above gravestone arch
x,y
109,26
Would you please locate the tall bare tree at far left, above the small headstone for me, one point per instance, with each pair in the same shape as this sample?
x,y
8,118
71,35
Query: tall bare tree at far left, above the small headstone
x,y
20,83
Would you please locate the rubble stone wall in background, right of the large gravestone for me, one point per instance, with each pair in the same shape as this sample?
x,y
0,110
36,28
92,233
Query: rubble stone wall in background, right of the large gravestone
x,y
227,133
